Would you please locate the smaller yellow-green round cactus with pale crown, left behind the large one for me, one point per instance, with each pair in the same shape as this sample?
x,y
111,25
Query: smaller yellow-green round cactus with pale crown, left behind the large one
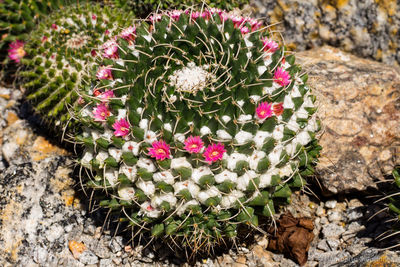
x,y
60,52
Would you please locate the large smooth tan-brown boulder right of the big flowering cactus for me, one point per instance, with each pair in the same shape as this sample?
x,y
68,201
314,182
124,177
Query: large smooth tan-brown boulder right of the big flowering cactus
x,y
361,137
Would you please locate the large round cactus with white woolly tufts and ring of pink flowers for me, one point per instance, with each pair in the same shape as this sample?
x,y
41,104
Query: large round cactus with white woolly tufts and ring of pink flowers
x,y
196,125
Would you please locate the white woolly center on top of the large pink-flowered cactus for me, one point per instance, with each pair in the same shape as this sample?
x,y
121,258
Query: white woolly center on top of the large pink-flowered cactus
x,y
191,78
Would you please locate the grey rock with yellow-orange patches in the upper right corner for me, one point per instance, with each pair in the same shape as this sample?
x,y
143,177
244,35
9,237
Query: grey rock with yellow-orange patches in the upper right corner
x,y
366,28
